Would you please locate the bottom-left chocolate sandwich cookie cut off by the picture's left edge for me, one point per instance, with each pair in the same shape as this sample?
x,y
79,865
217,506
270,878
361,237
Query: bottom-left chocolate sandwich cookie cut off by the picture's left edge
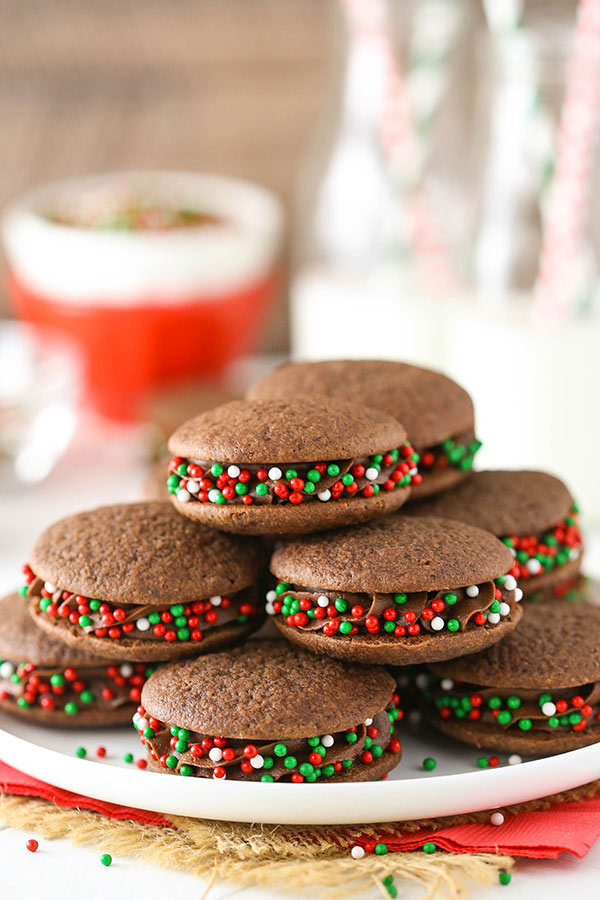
x,y
44,681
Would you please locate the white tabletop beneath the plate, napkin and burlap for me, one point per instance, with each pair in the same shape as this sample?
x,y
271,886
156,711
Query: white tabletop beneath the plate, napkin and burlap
x,y
104,470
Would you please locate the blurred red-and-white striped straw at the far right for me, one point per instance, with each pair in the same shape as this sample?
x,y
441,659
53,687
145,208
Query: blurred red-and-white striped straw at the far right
x,y
568,200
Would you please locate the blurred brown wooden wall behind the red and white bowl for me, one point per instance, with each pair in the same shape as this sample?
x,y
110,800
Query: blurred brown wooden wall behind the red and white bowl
x,y
229,86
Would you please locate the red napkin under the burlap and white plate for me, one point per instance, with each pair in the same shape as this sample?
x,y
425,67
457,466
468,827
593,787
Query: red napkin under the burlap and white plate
x,y
570,827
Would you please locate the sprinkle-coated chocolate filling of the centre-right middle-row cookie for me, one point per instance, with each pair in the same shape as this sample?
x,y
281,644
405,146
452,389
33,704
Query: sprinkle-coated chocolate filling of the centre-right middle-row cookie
x,y
400,614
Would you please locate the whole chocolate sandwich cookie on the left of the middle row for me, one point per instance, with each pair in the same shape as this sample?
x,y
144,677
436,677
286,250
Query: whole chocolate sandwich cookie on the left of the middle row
x,y
138,581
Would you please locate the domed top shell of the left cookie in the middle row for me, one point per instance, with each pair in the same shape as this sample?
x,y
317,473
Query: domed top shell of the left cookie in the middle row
x,y
144,553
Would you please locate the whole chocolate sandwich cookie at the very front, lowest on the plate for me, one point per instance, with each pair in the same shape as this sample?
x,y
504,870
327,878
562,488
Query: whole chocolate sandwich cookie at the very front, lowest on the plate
x,y
269,711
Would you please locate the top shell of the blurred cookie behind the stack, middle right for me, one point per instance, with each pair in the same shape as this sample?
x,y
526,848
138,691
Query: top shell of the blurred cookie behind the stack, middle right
x,y
503,502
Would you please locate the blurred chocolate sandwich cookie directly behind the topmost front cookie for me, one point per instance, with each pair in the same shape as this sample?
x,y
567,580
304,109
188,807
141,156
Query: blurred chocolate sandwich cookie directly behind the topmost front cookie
x,y
436,412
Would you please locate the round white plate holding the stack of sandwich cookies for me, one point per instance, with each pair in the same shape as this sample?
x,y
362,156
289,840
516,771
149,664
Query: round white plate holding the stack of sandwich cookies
x,y
457,785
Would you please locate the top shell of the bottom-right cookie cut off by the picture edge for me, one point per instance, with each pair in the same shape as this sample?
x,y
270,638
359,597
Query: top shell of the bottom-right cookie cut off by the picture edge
x,y
557,644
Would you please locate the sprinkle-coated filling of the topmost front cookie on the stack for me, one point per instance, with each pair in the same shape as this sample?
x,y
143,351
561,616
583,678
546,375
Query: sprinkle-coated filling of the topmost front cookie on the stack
x,y
220,483
